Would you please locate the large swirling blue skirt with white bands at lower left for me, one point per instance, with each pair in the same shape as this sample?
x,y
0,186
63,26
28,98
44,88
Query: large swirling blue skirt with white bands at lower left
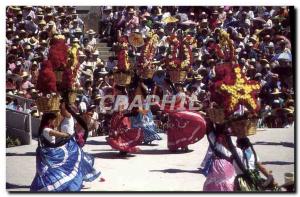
x,y
63,168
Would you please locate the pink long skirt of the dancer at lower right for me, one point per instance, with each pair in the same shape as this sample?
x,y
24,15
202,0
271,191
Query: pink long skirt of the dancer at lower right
x,y
220,177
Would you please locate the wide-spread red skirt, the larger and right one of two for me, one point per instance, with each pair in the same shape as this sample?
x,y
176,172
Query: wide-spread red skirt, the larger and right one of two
x,y
185,128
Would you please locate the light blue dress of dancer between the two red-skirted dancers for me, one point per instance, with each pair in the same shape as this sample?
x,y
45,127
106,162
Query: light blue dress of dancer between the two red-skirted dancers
x,y
144,119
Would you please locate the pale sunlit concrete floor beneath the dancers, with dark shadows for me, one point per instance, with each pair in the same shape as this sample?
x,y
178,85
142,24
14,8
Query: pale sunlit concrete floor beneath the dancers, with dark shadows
x,y
154,168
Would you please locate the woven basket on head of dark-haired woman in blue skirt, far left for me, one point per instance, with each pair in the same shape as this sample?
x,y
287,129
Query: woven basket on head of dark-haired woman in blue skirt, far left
x,y
45,104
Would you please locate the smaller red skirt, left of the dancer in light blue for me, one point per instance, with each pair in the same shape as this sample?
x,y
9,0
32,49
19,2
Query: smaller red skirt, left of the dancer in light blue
x,y
126,141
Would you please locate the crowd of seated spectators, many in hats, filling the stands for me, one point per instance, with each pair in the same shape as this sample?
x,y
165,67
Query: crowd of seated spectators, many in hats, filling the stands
x,y
261,37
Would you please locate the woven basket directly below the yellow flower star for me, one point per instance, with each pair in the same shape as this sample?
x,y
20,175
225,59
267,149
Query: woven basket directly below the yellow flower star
x,y
243,128
